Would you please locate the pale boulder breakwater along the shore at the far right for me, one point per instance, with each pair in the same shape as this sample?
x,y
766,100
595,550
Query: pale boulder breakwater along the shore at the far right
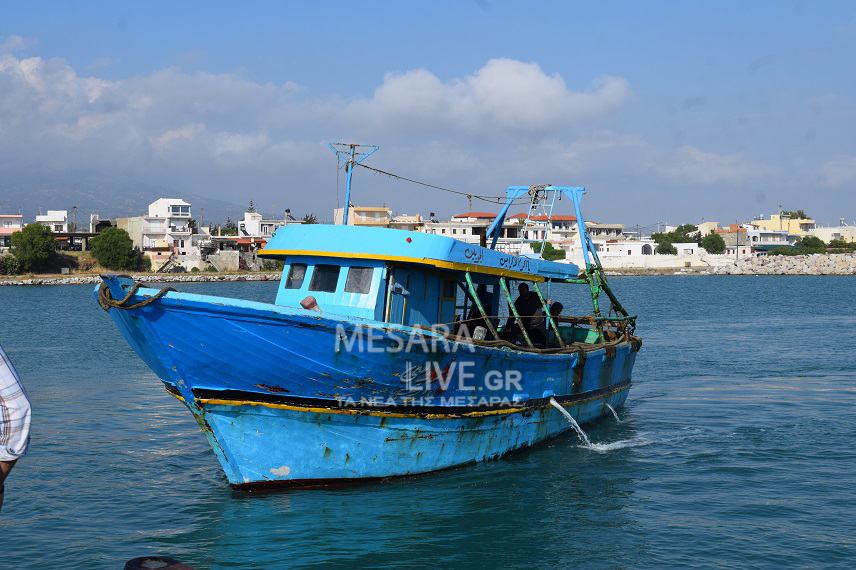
x,y
817,264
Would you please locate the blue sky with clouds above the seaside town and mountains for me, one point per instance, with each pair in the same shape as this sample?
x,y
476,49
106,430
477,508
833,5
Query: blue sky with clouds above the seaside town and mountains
x,y
666,111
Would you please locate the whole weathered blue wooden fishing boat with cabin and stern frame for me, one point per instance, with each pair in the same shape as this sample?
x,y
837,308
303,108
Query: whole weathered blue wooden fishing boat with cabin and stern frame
x,y
386,353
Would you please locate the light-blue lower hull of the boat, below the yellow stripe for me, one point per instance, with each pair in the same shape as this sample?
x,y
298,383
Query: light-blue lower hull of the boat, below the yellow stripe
x,y
266,445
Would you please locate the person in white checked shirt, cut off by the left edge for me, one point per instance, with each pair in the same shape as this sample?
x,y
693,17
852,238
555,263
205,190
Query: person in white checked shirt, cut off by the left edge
x,y
14,419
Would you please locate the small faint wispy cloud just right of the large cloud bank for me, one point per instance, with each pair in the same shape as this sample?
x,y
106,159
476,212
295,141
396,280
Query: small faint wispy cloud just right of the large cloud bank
x,y
695,166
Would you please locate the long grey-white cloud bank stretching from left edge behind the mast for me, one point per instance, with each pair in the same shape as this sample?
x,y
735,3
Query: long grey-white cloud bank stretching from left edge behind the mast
x,y
229,137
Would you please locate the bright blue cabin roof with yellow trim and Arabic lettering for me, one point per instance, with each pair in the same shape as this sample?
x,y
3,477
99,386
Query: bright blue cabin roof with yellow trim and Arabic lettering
x,y
409,247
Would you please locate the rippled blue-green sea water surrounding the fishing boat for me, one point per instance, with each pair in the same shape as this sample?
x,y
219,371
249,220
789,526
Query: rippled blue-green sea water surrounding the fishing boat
x,y
737,447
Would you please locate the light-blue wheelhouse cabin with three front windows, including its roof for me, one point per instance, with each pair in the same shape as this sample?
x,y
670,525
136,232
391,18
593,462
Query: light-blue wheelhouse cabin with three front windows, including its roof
x,y
406,278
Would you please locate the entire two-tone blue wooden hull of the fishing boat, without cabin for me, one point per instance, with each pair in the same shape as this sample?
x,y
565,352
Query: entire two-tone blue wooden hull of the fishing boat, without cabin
x,y
280,404
